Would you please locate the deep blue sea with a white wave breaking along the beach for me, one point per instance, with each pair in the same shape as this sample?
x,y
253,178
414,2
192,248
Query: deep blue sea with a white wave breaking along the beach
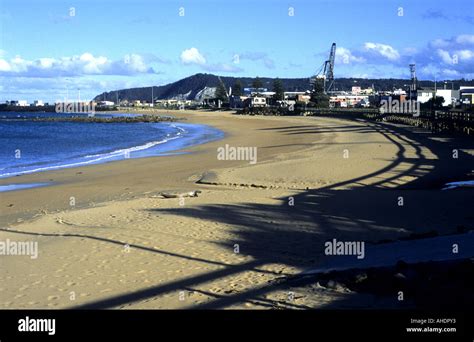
x,y
29,146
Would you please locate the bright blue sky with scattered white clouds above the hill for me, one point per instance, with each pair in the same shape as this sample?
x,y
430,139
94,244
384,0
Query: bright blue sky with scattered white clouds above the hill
x,y
52,48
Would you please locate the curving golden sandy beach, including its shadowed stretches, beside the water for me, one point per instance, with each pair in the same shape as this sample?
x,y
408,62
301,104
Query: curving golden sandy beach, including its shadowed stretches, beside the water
x,y
252,226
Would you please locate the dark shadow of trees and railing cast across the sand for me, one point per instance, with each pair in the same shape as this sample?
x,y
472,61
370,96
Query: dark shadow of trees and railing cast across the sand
x,y
295,235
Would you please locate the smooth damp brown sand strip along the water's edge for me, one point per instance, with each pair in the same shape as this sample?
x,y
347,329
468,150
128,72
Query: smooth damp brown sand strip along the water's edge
x,y
25,206
